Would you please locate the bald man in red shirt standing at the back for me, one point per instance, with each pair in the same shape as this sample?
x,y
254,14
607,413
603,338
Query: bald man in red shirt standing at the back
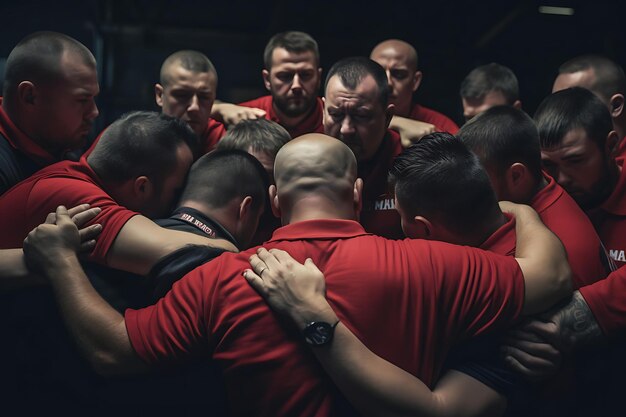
x,y
399,59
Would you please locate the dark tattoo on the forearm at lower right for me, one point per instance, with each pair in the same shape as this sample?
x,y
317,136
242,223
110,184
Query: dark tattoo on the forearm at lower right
x,y
578,326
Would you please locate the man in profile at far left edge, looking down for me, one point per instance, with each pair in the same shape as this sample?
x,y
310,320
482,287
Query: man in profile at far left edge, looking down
x,y
48,106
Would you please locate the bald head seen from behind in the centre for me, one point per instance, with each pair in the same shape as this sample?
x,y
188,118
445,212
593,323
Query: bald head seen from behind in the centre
x,y
316,178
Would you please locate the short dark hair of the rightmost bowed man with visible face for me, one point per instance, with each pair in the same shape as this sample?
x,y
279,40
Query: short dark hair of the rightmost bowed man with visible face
x,y
569,109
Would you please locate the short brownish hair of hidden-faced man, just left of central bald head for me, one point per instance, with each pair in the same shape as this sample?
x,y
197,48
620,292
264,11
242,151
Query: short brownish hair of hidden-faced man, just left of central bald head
x,y
260,135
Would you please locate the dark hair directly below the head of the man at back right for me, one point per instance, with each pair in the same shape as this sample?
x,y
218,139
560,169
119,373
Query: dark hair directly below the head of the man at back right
x,y
501,136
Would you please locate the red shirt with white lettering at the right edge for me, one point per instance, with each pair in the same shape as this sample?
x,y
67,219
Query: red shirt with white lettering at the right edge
x,y
610,219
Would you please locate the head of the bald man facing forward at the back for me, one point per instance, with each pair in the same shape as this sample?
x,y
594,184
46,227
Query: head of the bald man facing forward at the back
x,y
399,59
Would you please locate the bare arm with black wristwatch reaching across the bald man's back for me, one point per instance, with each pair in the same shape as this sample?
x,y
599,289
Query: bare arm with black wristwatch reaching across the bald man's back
x,y
377,387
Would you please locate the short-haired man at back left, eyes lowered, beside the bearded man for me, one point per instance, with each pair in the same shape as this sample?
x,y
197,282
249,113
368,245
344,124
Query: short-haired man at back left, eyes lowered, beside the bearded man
x,y
188,83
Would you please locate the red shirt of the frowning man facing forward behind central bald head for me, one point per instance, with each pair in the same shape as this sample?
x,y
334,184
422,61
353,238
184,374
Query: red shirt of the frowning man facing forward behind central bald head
x,y
379,215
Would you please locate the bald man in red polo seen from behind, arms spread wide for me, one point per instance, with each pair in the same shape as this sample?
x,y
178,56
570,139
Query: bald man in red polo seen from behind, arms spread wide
x,y
375,284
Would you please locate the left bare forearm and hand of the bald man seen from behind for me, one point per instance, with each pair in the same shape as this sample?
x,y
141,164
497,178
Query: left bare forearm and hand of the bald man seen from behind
x,y
98,329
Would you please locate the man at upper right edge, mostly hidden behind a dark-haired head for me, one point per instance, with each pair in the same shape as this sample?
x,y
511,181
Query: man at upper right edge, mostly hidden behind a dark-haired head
x,y
606,80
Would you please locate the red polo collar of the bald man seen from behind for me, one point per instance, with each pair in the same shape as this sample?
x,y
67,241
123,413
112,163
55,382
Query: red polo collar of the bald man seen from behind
x,y
319,229
